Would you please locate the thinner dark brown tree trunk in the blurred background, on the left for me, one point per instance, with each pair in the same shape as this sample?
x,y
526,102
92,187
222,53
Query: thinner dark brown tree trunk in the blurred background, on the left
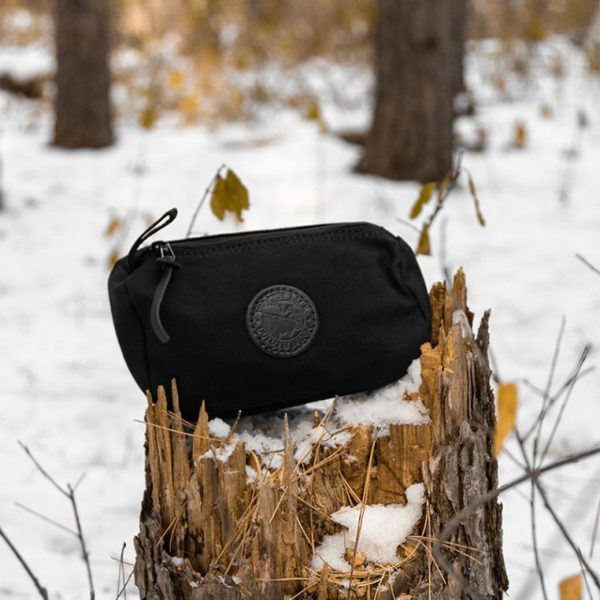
x,y
82,101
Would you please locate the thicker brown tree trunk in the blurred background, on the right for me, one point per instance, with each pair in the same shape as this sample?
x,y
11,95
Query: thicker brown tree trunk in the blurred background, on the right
x,y
419,52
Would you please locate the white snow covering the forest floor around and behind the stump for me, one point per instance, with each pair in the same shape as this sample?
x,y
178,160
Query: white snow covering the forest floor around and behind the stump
x,y
65,389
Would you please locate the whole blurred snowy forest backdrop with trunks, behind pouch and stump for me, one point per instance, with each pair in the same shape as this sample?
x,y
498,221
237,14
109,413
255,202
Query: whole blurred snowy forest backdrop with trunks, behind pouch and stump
x,y
469,127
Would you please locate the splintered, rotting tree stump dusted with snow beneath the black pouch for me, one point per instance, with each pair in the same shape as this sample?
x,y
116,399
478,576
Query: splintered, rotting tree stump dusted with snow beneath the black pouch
x,y
343,501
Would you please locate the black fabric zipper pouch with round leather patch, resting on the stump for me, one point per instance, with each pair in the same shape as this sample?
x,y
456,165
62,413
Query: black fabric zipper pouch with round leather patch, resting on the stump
x,y
265,320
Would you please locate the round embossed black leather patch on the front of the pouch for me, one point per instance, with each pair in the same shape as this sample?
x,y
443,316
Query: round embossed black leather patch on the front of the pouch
x,y
282,320
